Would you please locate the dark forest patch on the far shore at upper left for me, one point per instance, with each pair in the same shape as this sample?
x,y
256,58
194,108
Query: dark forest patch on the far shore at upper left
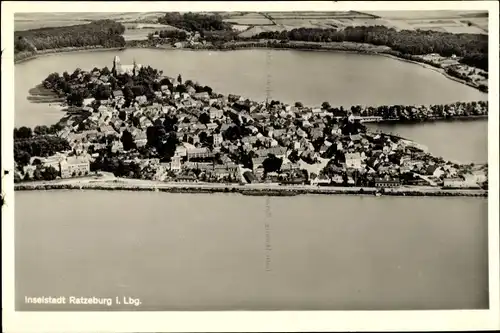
x,y
106,33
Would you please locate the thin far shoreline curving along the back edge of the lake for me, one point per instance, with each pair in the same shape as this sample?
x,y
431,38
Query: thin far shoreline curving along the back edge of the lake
x,y
345,48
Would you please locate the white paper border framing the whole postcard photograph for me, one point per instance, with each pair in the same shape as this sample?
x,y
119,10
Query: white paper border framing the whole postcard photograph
x,y
242,321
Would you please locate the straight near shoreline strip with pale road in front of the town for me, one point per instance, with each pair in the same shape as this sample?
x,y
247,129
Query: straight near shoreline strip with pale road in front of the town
x,y
249,189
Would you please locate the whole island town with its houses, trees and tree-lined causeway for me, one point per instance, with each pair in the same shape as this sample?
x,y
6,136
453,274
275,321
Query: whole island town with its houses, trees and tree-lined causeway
x,y
180,131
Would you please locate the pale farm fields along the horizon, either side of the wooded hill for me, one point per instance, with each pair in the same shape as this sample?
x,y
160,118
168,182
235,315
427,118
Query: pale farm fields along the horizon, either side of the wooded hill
x,y
247,22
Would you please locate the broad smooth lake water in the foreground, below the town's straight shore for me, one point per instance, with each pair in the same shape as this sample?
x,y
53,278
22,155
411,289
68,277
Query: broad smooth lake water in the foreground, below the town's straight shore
x,y
215,252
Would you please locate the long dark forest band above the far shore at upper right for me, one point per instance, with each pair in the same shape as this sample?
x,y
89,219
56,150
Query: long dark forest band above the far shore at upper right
x,y
472,47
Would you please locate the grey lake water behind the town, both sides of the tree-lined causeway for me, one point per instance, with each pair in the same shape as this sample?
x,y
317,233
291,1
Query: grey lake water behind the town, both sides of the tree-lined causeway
x,y
310,77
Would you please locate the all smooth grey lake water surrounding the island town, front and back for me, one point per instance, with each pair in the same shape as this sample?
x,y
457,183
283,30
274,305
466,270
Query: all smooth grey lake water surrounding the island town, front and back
x,y
212,252
